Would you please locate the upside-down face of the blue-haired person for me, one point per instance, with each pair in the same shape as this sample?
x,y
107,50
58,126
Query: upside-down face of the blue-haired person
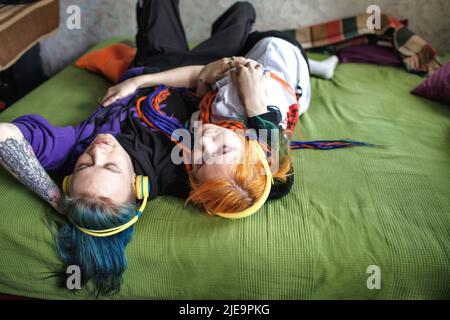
x,y
104,171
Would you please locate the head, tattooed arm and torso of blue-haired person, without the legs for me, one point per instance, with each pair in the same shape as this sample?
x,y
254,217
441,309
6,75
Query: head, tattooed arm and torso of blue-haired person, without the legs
x,y
102,158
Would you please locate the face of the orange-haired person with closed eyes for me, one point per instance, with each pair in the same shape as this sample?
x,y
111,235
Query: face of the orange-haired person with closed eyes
x,y
216,151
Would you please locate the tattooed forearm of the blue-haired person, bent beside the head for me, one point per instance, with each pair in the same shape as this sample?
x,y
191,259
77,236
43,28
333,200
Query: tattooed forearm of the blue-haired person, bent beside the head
x,y
17,156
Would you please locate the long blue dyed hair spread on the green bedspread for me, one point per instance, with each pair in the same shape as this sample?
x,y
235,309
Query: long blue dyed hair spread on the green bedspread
x,y
101,259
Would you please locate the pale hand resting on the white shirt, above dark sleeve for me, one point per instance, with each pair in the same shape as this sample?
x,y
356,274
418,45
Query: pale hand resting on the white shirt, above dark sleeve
x,y
250,81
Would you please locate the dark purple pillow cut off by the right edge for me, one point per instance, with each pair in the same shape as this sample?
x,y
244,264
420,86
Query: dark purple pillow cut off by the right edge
x,y
437,86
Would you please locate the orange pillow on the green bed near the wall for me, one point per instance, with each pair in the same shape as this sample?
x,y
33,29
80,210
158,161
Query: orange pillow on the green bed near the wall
x,y
111,61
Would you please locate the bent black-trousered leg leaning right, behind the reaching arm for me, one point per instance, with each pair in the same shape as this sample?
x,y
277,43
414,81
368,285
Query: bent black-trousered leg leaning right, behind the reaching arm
x,y
229,34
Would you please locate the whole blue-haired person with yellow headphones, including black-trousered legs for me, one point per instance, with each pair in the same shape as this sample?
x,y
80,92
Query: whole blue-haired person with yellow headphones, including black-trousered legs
x,y
104,157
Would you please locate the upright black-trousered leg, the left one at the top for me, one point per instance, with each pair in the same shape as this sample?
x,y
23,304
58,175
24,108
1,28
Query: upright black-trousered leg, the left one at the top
x,y
161,40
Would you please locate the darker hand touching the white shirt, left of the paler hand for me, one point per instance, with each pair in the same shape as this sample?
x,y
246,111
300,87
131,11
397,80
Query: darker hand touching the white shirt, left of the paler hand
x,y
215,71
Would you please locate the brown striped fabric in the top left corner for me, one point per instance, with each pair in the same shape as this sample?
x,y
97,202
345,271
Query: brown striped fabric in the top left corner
x,y
24,25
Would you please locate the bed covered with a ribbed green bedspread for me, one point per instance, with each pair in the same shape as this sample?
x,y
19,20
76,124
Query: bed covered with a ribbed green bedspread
x,y
349,210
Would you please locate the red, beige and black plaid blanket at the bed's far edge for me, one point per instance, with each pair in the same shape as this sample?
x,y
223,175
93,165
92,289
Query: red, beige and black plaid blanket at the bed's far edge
x,y
417,55
